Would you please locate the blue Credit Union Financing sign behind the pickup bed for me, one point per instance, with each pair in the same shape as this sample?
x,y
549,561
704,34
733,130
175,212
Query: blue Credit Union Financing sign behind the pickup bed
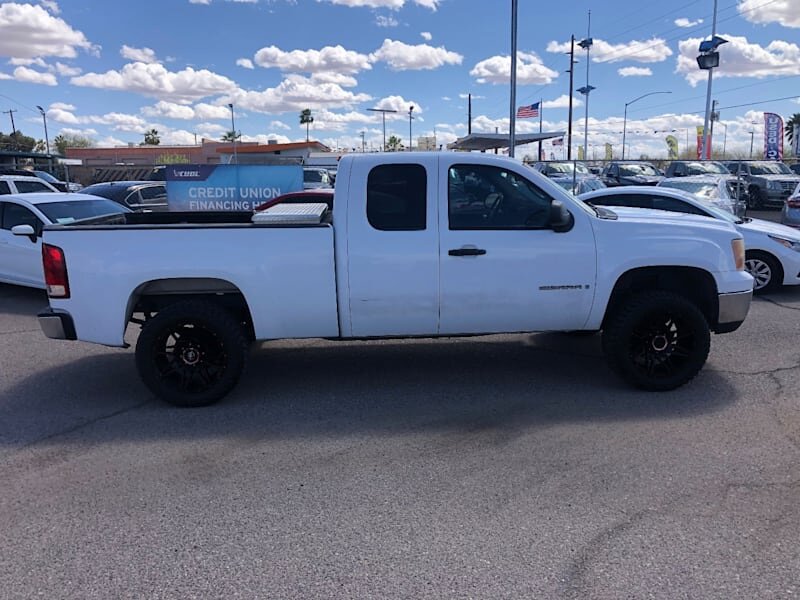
x,y
229,187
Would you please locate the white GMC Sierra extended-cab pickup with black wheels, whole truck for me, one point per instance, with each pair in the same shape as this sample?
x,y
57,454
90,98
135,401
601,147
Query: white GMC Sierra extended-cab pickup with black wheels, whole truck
x,y
428,244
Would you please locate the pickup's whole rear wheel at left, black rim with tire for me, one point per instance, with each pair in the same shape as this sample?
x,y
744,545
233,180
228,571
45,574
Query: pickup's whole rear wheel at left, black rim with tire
x,y
191,353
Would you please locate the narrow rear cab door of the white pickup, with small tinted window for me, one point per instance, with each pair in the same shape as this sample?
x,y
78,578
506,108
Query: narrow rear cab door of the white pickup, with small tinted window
x,y
392,247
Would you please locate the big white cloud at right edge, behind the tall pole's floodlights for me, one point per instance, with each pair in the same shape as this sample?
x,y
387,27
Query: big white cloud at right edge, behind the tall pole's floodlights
x,y
740,58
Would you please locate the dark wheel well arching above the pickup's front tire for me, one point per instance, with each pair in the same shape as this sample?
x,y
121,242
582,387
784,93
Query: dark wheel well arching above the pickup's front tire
x,y
696,285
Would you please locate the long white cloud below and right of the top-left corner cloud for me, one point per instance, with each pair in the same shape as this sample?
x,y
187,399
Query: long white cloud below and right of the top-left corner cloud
x,y
156,81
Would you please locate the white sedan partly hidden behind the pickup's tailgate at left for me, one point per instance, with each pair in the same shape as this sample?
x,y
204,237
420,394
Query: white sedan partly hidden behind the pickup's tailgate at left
x,y
22,217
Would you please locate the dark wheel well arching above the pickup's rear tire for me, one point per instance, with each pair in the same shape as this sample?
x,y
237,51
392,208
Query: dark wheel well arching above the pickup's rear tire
x,y
153,296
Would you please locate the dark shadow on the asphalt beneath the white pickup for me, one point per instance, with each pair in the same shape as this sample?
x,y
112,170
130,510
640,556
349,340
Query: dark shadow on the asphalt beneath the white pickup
x,y
322,388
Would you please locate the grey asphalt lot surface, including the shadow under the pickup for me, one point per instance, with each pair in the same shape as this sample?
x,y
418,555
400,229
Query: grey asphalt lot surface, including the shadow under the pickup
x,y
498,467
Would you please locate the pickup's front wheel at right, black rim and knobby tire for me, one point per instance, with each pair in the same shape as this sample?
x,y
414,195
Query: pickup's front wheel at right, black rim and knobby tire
x,y
657,340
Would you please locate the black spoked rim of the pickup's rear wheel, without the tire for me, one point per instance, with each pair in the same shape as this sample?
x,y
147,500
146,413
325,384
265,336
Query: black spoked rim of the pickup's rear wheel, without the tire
x,y
189,357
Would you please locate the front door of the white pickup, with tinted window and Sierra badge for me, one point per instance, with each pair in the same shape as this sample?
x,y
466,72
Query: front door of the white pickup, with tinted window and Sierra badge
x,y
503,269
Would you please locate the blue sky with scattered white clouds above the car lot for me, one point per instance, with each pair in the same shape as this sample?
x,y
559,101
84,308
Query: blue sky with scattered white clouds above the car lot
x,y
112,70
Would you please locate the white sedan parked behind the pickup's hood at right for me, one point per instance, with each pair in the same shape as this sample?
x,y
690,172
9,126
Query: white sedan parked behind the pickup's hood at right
x,y
772,250
